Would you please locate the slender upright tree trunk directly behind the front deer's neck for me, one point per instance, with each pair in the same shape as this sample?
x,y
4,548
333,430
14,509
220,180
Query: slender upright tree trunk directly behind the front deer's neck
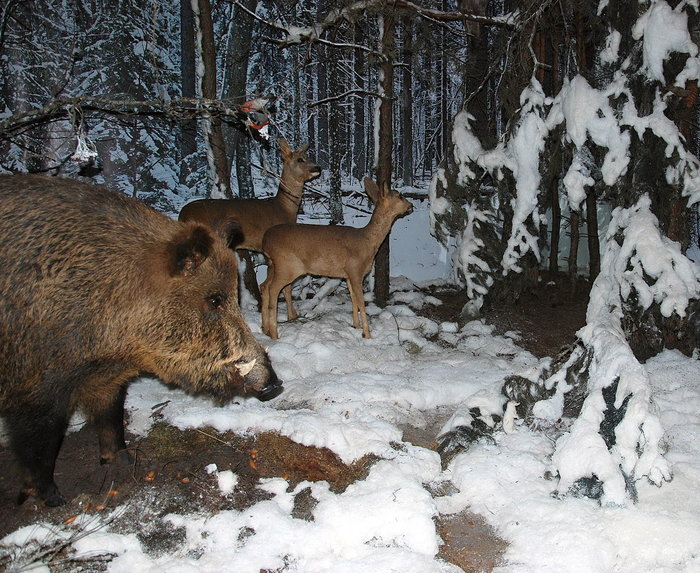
x,y
386,142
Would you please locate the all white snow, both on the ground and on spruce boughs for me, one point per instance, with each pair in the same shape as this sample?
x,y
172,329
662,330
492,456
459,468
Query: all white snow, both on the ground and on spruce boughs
x,y
356,396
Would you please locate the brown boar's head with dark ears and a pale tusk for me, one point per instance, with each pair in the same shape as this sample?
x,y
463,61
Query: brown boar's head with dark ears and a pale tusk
x,y
195,336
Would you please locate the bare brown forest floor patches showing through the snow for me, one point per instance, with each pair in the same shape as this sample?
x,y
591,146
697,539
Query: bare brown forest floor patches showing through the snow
x,y
168,474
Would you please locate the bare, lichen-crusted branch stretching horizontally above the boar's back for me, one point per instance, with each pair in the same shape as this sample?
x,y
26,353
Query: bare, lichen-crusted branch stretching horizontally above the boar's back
x,y
179,108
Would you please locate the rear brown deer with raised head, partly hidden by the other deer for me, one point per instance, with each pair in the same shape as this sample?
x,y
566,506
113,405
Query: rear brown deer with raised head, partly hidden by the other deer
x,y
255,216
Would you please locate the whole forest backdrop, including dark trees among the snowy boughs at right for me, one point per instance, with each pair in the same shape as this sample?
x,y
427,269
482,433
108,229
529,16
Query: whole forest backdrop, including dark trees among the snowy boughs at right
x,y
150,98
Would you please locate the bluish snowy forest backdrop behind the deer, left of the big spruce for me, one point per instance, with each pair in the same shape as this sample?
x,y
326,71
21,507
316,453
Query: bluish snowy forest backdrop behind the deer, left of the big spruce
x,y
124,79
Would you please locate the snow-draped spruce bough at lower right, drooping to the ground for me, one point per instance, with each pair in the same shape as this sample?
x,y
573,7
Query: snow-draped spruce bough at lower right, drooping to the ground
x,y
639,263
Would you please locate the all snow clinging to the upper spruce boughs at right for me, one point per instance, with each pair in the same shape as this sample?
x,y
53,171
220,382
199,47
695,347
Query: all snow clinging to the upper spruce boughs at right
x,y
590,117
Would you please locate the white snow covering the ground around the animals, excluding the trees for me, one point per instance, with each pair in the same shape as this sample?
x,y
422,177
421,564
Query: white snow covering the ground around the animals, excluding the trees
x,y
354,396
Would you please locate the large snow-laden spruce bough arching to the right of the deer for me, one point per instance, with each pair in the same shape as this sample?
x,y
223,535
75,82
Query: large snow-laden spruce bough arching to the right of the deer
x,y
588,115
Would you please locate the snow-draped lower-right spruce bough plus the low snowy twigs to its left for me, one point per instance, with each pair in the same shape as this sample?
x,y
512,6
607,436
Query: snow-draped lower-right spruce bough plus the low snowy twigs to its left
x,y
598,391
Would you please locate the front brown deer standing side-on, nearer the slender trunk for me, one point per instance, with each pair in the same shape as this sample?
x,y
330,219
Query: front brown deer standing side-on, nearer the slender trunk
x,y
330,251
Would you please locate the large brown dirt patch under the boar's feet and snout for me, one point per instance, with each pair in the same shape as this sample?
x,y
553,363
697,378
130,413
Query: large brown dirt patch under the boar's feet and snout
x,y
171,471
